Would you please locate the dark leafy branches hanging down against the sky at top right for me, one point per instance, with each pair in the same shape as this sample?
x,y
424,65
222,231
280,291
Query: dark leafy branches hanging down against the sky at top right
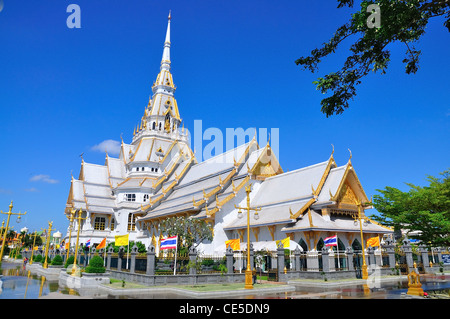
x,y
401,22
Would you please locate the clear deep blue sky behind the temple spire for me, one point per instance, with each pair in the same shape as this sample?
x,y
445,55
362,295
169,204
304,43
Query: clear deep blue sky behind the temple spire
x,y
63,90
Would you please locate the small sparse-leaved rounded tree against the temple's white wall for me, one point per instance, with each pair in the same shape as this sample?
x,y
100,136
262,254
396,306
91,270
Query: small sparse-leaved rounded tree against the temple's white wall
x,y
191,231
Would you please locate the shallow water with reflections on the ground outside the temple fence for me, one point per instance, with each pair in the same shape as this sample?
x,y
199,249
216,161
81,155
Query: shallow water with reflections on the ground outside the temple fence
x,y
22,284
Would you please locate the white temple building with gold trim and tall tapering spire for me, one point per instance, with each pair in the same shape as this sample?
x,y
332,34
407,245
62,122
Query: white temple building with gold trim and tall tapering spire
x,y
157,176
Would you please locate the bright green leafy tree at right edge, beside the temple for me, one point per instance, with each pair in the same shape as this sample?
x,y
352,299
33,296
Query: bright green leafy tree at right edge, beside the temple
x,y
424,209
